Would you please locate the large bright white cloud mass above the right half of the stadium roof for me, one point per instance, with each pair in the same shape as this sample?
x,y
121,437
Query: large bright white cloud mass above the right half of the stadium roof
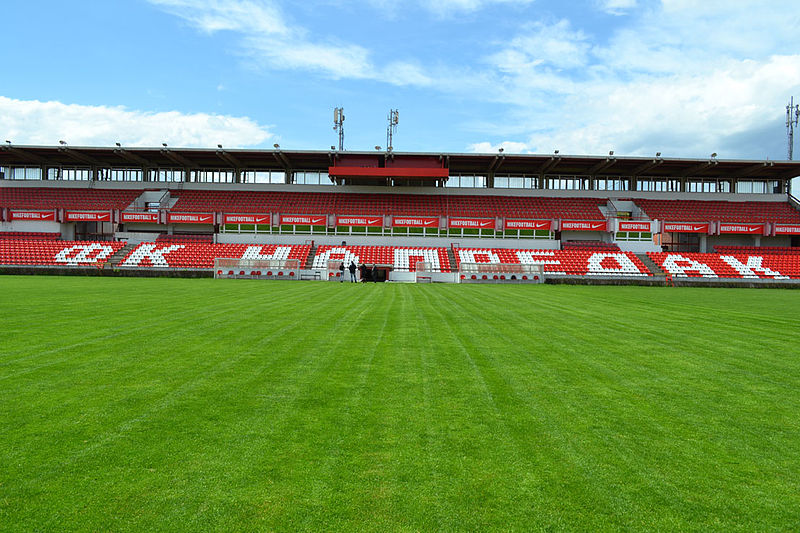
x,y
681,79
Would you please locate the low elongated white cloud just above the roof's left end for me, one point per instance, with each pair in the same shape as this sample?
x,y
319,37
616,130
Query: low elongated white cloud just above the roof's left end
x,y
35,122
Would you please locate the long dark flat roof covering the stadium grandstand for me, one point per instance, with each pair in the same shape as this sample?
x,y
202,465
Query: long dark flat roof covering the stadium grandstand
x,y
311,160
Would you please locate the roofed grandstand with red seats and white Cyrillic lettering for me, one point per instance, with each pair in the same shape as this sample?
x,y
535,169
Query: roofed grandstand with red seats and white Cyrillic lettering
x,y
576,216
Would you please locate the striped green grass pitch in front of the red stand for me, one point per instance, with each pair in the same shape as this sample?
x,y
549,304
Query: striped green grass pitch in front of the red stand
x,y
163,404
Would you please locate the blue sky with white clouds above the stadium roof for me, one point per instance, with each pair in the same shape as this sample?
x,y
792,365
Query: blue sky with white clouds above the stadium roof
x,y
681,77
